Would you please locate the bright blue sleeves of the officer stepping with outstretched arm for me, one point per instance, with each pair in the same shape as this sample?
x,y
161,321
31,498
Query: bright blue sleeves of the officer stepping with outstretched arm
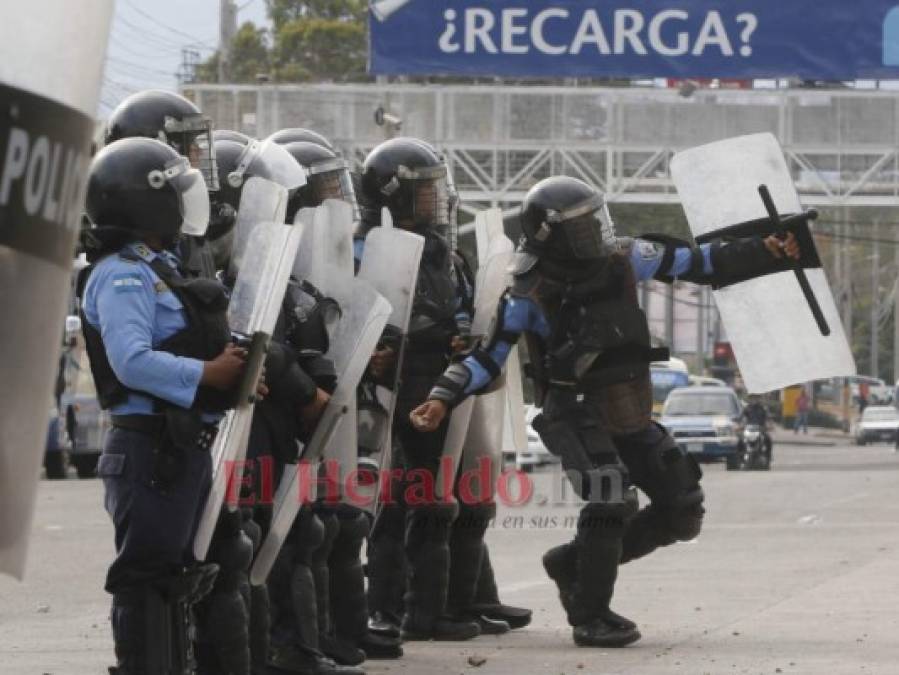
x,y
523,315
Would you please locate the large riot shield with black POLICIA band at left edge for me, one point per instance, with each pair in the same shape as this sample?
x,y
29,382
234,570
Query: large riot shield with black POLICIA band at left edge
x,y
49,98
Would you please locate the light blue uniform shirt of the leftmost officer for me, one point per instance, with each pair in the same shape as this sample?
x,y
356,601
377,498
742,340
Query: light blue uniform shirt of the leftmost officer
x,y
134,311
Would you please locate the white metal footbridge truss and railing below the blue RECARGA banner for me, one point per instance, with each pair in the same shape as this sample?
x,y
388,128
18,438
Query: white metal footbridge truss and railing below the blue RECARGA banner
x,y
842,146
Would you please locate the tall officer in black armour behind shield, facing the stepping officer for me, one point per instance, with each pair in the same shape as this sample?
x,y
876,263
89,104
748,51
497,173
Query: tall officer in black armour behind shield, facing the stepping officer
x,y
411,181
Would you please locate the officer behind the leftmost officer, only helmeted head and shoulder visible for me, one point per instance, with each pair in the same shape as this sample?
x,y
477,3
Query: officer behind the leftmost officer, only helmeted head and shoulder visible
x,y
171,118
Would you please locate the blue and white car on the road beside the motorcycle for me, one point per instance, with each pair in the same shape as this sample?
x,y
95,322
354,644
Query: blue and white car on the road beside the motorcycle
x,y
705,421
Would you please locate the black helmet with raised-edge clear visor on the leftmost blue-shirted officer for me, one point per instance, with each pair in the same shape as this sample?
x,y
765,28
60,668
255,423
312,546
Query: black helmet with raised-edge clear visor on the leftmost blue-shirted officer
x,y
141,186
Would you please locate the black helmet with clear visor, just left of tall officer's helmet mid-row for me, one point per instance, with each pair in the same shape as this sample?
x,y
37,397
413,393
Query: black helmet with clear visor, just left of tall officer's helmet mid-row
x,y
327,177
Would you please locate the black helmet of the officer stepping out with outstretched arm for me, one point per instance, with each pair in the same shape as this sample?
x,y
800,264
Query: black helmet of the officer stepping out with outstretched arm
x,y
566,219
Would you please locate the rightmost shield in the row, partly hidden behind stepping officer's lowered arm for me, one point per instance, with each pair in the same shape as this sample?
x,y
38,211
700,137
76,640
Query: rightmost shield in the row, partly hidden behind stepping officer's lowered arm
x,y
491,281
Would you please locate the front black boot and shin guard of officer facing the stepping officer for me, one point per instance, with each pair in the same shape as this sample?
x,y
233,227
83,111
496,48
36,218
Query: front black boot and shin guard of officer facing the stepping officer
x,y
427,554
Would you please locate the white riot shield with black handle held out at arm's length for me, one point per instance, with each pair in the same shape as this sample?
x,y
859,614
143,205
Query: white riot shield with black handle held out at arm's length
x,y
784,327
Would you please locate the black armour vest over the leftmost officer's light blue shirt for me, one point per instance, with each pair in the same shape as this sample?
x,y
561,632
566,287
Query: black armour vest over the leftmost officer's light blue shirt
x,y
205,303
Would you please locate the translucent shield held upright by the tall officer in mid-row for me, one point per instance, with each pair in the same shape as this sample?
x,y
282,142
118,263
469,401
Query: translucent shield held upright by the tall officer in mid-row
x,y
390,264
